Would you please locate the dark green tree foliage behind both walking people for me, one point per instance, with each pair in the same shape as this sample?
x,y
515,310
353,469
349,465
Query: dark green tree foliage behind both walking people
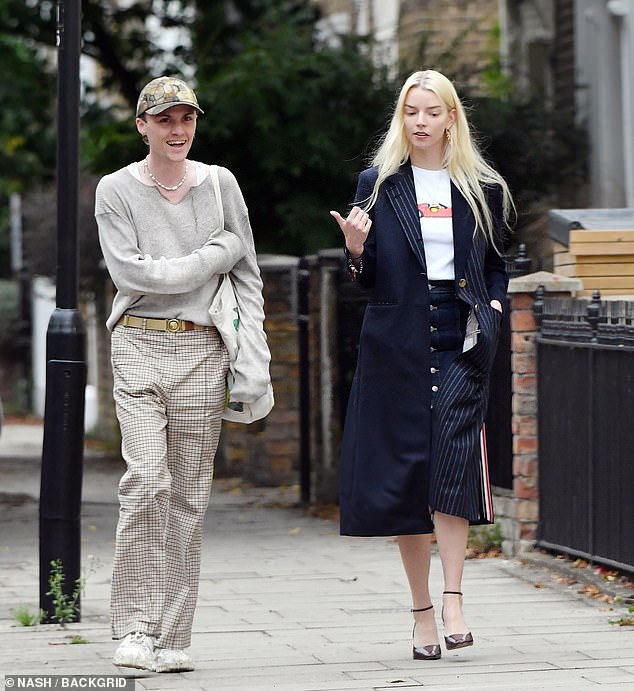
x,y
291,116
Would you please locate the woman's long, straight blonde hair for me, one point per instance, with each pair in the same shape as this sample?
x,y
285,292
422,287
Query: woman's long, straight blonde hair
x,y
467,168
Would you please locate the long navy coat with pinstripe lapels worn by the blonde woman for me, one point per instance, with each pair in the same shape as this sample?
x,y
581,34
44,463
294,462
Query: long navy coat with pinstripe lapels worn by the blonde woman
x,y
396,460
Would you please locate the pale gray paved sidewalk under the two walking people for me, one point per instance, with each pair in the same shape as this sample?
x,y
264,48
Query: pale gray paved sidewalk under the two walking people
x,y
285,603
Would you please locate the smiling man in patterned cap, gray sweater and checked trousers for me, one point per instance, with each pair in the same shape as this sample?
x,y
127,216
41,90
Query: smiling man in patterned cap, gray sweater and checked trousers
x,y
165,250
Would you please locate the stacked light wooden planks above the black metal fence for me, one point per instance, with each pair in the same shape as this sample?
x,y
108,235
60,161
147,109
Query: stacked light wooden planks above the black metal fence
x,y
602,259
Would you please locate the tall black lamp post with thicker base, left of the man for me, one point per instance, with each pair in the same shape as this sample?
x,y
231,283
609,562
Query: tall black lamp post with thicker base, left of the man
x,y
63,447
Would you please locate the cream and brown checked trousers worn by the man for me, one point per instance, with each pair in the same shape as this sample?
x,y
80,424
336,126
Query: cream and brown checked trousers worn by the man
x,y
169,391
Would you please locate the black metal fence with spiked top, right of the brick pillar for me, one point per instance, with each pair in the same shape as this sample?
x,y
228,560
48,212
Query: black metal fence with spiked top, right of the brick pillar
x,y
586,428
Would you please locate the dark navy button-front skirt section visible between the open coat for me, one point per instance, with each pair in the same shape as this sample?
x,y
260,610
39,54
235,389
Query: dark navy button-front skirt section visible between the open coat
x,y
448,324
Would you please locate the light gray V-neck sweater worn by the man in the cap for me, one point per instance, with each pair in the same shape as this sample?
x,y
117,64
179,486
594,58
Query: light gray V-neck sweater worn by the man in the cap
x,y
166,260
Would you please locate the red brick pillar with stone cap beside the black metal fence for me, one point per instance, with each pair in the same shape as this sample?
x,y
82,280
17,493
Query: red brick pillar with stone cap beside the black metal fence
x,y
524,331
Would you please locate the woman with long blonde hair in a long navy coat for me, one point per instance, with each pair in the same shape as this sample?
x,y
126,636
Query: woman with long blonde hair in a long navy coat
x,y
425,239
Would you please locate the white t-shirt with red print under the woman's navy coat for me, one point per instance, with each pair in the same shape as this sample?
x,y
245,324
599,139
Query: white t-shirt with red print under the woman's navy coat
x,y
433,197
